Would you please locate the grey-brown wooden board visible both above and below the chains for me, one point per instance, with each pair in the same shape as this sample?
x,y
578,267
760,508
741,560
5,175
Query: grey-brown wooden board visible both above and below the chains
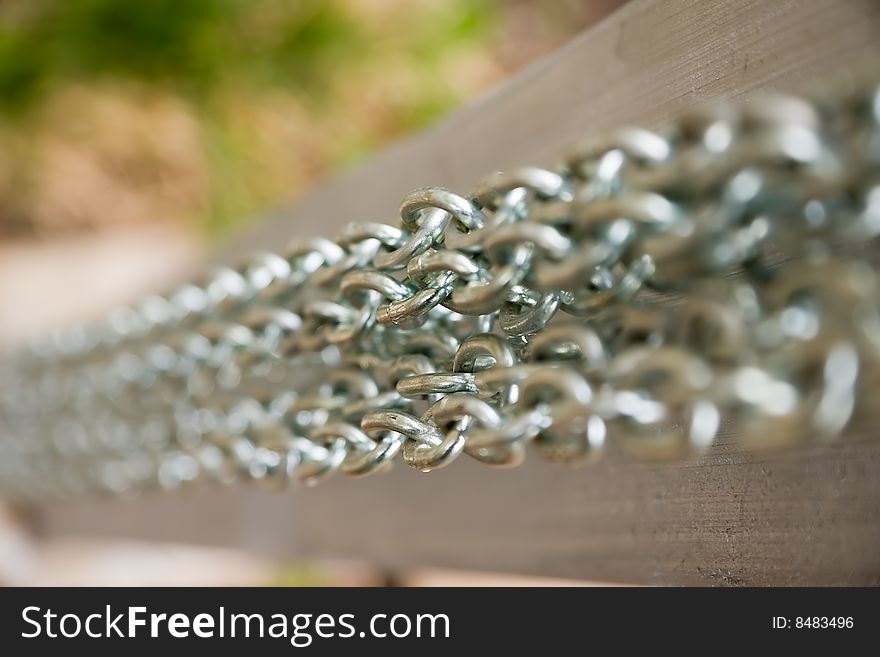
x,y
810,516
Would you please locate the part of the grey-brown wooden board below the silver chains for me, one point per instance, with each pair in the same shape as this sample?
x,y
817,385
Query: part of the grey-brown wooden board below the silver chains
x,y
805,517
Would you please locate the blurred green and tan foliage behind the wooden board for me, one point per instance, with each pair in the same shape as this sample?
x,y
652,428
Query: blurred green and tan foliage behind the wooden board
x,y
207,113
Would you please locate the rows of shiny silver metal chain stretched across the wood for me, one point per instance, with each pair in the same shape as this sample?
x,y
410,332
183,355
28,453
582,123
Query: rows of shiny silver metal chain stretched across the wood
x,y
642,294
